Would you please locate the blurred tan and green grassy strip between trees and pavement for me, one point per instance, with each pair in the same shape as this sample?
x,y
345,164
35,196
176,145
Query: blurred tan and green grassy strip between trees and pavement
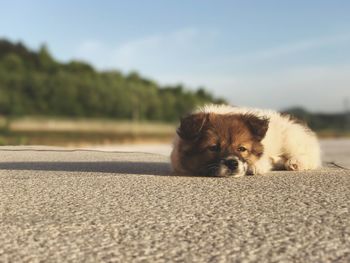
x,y
73,132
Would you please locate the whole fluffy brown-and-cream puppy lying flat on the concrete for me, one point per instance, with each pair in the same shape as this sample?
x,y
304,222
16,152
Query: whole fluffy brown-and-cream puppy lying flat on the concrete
x,y
220,140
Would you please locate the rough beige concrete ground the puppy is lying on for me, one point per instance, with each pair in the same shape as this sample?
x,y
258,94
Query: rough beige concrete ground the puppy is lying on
x,y
61,205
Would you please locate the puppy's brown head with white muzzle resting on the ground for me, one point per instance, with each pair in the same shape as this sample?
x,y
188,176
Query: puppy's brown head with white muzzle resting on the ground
x,y
220,144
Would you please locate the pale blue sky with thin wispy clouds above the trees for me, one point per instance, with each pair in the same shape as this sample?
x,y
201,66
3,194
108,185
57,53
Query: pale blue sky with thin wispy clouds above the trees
x,y
267,54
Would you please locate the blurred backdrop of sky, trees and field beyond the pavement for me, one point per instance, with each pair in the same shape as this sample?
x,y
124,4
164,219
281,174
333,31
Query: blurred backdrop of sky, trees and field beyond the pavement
x,y
106,73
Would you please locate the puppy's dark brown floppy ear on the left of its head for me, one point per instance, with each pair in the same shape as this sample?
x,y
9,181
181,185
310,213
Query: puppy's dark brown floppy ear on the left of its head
x,y
192,125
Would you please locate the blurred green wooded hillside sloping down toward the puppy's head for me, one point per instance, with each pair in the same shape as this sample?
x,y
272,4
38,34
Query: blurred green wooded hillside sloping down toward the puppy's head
x,y
34,83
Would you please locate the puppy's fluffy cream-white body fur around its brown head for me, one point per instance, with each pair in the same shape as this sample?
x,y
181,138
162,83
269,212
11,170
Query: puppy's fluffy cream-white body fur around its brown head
x,y
287,144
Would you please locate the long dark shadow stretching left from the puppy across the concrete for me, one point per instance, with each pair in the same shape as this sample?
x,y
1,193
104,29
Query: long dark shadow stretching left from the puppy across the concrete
x,y
146,168
